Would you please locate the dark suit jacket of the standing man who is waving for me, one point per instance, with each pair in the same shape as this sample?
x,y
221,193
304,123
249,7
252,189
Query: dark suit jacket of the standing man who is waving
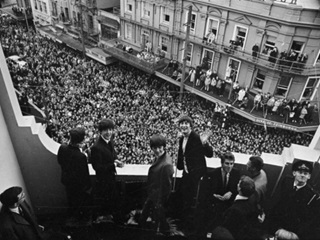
x,y
194,155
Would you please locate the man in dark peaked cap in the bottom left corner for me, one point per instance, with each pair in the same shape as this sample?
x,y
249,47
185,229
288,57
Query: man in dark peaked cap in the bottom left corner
x,y
17,222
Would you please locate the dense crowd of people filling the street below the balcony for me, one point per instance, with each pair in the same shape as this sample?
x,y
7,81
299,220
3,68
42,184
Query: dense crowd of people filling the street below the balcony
x,y
73,91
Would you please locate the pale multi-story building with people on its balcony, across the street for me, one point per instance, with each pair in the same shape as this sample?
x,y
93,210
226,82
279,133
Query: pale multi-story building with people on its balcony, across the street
x,y
224,34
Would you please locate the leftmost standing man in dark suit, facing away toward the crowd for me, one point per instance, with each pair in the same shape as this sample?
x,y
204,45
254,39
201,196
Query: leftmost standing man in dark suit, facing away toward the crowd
x,y
75,176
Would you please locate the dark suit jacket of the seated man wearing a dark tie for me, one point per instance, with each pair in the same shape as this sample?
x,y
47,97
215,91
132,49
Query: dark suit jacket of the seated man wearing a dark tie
x,y
215,184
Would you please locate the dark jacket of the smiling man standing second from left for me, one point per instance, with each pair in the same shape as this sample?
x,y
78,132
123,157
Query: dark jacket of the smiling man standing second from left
x,y
102,159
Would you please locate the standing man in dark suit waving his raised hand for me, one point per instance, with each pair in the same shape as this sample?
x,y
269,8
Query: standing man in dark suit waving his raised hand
x,y
193,149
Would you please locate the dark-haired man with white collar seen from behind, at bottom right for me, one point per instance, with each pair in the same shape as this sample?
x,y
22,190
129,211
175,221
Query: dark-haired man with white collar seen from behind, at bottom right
x,y
240,218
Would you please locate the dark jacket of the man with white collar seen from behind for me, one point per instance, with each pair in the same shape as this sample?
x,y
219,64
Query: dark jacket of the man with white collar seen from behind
x,y
240,218
